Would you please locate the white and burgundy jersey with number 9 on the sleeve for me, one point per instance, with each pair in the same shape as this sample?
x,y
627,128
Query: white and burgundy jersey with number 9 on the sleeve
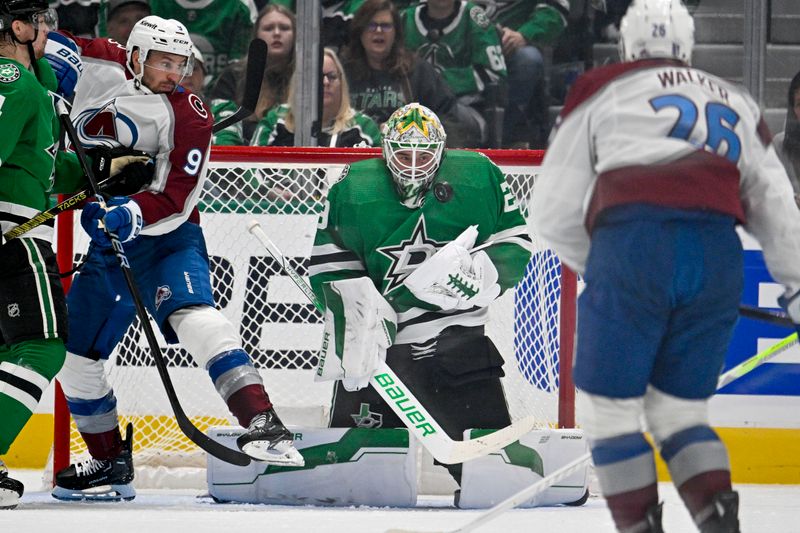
x,y
174,128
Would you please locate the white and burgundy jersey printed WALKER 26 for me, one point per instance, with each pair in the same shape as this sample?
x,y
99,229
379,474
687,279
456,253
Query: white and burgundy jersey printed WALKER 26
x,y
662,133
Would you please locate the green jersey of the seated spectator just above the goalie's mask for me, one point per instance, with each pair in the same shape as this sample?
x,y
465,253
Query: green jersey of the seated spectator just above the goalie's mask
x,y
466,50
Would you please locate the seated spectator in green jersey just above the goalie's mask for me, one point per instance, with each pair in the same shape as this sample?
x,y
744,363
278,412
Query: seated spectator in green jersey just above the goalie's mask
x,y
462,44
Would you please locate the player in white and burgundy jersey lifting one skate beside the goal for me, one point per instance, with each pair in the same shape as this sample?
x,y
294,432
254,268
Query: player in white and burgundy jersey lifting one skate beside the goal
x,y
131,98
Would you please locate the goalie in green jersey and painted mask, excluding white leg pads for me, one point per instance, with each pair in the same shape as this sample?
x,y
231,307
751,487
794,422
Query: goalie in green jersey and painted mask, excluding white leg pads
x,y
394,247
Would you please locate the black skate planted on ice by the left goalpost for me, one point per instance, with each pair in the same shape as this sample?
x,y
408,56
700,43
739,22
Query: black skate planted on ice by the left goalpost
x,y
99,480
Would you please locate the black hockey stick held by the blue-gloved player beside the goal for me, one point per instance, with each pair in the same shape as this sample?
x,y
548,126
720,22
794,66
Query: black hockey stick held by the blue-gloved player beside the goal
x,y
195,435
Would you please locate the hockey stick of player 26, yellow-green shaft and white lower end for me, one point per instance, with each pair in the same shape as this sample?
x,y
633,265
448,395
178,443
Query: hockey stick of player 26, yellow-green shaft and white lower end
x,y
551,479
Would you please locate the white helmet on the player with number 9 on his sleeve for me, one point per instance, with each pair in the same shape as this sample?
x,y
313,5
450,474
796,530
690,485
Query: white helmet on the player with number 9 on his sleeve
x,y
163,35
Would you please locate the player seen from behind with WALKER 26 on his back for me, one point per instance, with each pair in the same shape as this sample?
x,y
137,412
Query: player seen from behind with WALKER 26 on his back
x,y
651,166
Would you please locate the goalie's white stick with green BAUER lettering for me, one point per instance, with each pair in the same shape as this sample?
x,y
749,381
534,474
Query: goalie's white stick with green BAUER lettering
x,y
401,400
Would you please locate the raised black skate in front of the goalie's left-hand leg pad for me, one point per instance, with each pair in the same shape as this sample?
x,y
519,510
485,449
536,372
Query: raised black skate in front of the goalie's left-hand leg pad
x,y
268,440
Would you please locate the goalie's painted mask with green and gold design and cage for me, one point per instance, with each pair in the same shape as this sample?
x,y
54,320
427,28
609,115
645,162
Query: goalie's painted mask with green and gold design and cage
x,y
413,144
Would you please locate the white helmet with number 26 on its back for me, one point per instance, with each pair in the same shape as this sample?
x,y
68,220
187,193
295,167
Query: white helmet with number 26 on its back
x,y
656,28
